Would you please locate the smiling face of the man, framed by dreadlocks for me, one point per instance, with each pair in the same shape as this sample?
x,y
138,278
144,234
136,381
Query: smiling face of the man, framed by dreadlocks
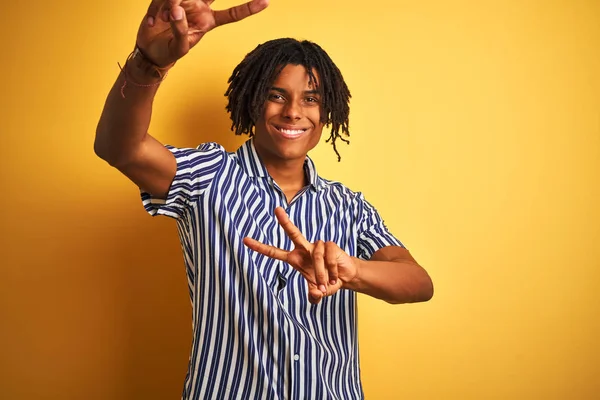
x,y
291,123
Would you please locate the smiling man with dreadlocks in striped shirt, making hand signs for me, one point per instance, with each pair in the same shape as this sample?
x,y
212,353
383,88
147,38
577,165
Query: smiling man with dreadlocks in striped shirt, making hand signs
x,y
273,296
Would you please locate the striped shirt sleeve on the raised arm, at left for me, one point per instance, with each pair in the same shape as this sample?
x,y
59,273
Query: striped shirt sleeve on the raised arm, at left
x,y
196,169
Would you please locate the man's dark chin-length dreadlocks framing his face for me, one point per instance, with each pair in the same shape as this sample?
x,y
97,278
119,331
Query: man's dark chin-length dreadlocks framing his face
x,y
252,78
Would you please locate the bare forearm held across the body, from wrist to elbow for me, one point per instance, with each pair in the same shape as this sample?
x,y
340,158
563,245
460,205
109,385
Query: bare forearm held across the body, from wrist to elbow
x,y
396,282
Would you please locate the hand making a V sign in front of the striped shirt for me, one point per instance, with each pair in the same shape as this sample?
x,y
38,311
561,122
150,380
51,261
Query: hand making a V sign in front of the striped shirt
x,y
324,265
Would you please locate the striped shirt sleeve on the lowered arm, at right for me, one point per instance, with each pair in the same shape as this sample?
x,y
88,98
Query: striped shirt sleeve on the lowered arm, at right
x,y
373,234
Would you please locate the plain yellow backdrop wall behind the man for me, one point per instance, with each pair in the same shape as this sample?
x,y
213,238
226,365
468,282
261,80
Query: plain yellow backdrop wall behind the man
x,y
475,131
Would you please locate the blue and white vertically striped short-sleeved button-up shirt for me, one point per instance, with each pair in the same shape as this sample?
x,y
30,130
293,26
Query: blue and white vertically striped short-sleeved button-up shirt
x,y
255,335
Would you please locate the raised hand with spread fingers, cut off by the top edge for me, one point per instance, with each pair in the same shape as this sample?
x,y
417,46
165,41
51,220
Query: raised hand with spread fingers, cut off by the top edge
x,y
172,27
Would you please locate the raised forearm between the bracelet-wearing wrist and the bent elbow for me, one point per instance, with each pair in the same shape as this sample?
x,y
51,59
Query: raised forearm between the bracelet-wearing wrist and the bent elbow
x,y
127,112
